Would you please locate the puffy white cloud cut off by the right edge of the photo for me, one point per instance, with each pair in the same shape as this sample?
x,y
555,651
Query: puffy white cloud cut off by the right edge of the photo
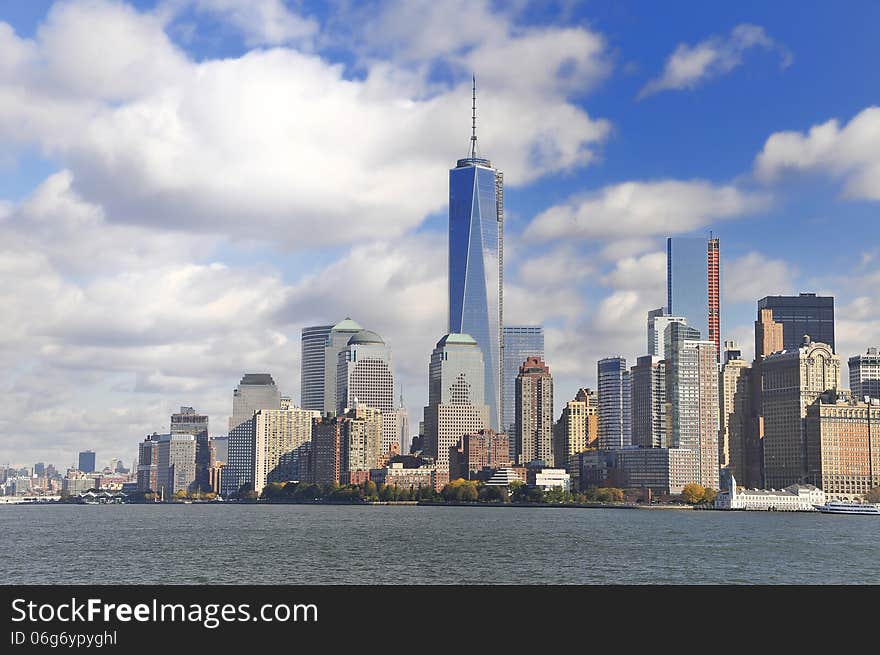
x,y
850,153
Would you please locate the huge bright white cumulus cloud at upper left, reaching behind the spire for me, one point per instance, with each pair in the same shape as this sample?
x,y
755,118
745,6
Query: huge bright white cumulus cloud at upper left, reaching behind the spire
x,y
279,142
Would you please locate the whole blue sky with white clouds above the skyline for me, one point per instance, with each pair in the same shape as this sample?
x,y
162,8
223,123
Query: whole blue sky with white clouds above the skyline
x,y
187,183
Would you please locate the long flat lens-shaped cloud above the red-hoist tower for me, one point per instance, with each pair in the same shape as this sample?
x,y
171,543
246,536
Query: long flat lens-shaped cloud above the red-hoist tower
x,y
637,209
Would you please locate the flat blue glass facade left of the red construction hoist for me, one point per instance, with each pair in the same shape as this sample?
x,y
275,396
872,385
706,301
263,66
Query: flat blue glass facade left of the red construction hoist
x,y
687,281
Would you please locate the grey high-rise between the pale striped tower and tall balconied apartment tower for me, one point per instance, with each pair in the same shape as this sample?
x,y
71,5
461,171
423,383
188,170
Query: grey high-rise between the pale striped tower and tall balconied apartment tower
x,y
648,381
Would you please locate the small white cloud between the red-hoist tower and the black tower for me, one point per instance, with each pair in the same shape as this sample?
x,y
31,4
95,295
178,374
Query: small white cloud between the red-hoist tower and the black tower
x,y
753,276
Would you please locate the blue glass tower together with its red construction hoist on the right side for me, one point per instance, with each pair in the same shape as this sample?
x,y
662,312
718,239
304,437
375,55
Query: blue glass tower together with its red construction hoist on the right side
x,y
693,283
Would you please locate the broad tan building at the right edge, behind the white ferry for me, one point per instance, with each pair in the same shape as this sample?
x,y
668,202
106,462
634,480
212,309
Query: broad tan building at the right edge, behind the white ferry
x,y
843,445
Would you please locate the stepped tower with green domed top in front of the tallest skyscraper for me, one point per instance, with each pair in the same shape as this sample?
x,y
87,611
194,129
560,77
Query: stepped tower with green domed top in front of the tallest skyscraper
x,y
455,398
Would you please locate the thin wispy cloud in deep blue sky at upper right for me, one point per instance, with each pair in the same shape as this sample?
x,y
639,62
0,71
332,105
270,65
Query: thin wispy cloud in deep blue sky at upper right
x,y
691,65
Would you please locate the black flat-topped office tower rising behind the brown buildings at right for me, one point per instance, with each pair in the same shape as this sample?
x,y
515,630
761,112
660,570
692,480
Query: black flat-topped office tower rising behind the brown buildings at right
x,y
804,314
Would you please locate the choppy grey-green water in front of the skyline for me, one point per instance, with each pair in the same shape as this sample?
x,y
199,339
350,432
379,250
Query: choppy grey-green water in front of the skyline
x,y
304,544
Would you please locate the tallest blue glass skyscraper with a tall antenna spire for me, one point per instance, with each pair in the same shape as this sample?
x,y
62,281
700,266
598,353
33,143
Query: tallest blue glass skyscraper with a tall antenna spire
x,y
476,232
